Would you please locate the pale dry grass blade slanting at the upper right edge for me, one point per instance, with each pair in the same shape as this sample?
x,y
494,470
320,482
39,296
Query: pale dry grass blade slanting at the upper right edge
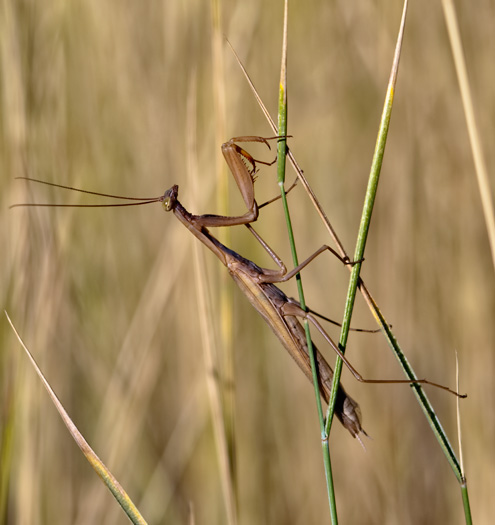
x,y
474,139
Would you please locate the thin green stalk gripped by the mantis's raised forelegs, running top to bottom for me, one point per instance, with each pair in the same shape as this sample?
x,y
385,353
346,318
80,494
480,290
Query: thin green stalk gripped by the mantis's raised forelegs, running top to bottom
x,y
281,162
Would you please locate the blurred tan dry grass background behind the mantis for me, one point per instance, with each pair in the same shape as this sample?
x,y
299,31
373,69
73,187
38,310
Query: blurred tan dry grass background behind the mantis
x,y
119,97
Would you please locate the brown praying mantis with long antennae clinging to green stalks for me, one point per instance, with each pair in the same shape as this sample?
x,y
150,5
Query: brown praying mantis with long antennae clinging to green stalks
x,y
258,284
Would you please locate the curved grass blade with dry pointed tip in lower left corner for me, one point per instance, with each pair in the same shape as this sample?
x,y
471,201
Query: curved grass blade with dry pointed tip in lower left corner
x,y
115,488
